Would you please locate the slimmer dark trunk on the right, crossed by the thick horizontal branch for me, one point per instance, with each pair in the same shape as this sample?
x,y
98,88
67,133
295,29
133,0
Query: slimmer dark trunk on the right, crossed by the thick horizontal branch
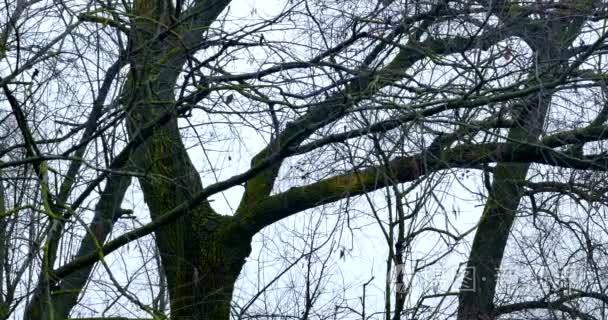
x,y
476,300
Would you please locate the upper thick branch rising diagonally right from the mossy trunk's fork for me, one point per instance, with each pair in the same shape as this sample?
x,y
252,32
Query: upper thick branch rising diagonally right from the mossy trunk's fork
x,y
357,89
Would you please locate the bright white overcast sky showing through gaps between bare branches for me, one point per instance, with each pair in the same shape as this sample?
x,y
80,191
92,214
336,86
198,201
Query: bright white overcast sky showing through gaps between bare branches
x,y
277,246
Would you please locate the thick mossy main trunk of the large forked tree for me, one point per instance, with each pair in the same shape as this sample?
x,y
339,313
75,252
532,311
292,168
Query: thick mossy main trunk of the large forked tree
x,y
203,252
